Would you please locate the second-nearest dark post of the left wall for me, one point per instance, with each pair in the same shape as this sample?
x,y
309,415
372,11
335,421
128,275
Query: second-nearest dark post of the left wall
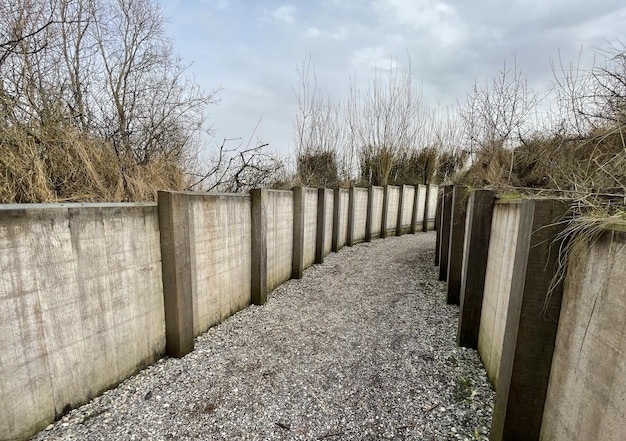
x,y
258,211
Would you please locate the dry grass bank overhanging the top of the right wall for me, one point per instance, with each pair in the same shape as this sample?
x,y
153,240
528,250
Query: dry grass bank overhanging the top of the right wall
x,y
591,169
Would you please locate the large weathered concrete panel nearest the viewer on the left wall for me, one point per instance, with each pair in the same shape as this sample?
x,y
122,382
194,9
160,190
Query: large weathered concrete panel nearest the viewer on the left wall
x,y
76,281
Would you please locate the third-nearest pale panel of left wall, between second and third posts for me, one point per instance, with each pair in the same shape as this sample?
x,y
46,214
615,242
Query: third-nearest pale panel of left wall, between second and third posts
x,y
279,237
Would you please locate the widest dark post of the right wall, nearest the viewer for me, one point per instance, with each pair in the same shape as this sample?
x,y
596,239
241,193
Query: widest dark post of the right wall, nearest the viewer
x,y
531,325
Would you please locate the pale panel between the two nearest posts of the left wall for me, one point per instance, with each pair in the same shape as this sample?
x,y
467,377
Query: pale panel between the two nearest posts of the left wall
x,y
219,235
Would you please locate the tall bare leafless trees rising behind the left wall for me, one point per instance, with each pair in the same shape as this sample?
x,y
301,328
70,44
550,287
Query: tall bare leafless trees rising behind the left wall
x,y
77,74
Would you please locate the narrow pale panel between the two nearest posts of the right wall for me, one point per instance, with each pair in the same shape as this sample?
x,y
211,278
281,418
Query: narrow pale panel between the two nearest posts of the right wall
x,y
502,244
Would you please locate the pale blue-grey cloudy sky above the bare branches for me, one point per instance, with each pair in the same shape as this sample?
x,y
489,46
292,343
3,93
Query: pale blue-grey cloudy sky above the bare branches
x,y
252,49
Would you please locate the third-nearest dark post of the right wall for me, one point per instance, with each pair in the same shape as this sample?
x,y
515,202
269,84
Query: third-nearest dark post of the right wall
x,y
457,239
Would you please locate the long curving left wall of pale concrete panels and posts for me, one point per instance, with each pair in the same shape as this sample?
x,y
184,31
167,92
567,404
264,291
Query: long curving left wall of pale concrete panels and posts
x,y
99,291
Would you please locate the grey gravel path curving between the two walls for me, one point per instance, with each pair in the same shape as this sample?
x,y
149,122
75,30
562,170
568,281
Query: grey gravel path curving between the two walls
x,y
362,348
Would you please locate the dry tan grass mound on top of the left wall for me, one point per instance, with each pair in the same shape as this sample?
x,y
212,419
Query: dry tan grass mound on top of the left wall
x,y
66,165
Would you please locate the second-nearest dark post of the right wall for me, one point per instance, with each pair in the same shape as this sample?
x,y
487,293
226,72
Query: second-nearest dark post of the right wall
x,y
474,266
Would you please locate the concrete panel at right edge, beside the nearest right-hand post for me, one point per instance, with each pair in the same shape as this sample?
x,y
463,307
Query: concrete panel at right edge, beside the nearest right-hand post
x,y
586,397
